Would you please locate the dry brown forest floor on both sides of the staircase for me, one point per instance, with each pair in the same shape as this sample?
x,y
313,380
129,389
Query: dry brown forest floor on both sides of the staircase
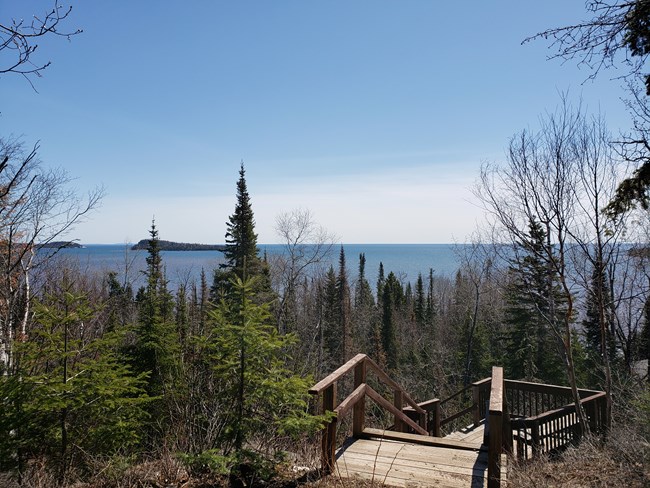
x,y
624,461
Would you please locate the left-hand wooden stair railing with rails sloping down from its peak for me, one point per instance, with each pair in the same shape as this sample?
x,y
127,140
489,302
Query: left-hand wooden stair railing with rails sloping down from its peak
x,y
327,387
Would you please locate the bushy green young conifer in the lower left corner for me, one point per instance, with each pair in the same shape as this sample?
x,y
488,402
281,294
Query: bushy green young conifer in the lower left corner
x,y
72,398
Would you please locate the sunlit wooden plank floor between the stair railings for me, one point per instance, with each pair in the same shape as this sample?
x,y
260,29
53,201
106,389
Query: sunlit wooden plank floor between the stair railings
x,y
456,461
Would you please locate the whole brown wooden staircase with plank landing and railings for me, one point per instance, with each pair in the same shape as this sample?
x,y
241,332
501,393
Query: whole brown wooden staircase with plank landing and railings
x,y
413,451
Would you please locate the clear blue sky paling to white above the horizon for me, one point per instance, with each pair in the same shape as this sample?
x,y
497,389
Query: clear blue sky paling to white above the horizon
x,y
375,115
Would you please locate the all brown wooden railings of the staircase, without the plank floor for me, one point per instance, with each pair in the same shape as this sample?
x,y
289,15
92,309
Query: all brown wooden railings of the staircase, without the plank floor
x,y
544,432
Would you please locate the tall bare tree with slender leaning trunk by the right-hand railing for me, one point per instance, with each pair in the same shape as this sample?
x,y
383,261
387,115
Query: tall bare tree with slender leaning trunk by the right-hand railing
x,y
554,177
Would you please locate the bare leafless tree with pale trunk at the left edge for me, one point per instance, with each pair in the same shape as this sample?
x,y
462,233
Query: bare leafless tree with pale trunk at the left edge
x,y
37,207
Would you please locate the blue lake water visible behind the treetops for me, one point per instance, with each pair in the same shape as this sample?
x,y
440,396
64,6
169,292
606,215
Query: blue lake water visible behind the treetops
x,y
405,260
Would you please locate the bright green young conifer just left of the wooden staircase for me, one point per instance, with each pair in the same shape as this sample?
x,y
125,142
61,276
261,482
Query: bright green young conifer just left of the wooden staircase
x,y
262,396
